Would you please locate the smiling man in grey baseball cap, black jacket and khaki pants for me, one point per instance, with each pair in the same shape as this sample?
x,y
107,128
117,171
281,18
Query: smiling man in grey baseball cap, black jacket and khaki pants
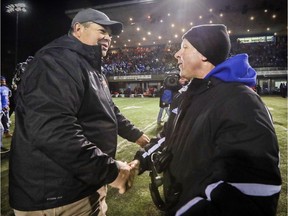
x,y
65,138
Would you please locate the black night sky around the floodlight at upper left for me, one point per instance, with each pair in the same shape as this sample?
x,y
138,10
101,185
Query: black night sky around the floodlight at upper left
x,y
43,22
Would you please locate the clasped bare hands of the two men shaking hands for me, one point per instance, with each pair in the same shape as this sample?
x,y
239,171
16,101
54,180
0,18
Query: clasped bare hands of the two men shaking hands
x,y
126,175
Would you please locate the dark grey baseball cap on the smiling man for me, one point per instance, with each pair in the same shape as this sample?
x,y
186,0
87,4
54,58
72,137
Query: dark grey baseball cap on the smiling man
x,y
92,15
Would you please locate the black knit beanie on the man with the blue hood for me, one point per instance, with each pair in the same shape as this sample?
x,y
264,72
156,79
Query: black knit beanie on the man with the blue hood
x,y
211,40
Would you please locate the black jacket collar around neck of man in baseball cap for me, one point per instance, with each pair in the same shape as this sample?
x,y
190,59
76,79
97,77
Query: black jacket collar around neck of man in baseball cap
x,y
90,53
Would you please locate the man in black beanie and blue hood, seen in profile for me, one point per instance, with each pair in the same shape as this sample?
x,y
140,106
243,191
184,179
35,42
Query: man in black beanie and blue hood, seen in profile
x,y
221,154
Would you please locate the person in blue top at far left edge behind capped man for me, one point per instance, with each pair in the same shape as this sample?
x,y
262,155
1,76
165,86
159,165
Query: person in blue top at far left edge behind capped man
x,y
5,98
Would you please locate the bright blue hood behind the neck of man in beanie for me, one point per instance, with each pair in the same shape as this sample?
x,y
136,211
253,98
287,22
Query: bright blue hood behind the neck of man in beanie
x,y
235,69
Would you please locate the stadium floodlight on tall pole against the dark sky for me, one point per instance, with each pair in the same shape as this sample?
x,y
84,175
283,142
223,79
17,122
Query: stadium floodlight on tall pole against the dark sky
x,y
16,8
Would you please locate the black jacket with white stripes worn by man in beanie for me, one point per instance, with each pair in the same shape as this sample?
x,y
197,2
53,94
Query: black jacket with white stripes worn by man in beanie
x,y
224,153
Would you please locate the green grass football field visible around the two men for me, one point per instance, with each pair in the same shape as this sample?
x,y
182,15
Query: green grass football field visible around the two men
x,y
143,113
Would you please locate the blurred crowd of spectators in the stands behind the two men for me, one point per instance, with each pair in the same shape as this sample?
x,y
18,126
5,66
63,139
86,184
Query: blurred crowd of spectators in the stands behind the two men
x,y
159,58
